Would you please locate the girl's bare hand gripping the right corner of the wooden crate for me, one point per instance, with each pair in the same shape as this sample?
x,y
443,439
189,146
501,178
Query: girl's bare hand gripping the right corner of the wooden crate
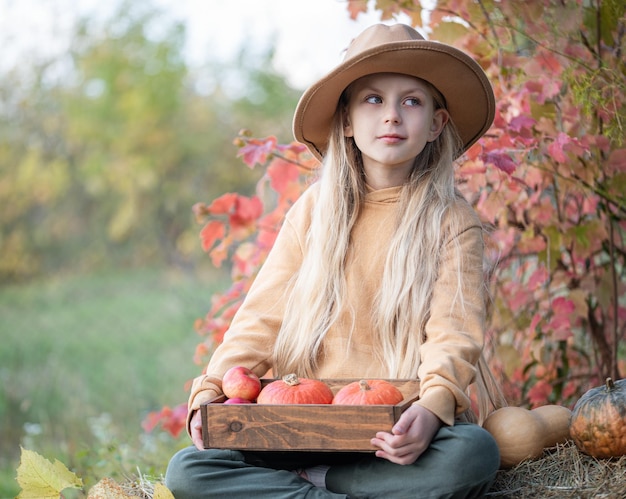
x,y
409,437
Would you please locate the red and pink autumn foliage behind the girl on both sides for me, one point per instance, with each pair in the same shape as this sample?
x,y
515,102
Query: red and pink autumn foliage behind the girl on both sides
x,y
548,180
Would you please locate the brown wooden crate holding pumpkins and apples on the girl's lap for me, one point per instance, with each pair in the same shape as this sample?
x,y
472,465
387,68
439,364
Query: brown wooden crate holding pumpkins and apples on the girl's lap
x,y
301,427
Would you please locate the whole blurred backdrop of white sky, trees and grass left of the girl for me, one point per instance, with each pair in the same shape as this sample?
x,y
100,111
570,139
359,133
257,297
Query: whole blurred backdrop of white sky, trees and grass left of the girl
x,y
115,118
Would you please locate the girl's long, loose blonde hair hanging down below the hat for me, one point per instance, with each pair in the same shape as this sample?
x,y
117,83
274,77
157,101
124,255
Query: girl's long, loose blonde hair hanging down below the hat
x,y
403,302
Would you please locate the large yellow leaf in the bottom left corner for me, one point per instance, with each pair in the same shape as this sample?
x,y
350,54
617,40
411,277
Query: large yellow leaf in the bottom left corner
x,y
40,479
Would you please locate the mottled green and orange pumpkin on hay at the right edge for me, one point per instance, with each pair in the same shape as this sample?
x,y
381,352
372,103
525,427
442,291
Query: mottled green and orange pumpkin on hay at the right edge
x,y
598,424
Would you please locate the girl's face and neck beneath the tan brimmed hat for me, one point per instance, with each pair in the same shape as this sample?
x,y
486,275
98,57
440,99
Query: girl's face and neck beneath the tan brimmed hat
x,y
391,118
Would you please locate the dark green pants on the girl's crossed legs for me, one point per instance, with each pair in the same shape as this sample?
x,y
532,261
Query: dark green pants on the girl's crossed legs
x,y
461,462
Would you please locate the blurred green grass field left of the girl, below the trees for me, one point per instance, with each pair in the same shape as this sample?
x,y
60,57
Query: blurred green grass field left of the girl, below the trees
x,y
84,358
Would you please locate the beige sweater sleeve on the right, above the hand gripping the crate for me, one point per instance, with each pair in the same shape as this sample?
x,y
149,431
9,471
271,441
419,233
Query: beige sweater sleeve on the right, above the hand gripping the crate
x,y
455,330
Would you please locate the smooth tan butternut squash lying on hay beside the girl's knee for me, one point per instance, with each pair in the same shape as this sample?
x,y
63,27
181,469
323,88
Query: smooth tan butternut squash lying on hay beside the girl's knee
x,y
522,434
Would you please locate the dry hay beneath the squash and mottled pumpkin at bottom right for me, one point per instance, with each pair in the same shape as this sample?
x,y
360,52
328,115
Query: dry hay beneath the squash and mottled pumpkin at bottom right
x,y
563,472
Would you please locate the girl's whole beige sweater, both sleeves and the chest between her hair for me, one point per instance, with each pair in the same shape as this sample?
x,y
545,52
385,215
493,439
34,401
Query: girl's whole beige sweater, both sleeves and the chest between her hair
x,y
454,339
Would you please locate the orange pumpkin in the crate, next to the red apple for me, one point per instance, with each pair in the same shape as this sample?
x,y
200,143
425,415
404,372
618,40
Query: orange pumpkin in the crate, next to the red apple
x,y
294,390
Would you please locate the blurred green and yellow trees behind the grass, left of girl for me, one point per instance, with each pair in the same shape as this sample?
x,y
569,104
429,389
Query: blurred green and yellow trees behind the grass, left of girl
x,y
104,150
